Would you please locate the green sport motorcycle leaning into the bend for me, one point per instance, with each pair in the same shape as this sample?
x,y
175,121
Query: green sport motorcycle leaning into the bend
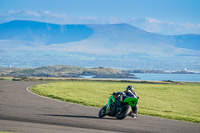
x,y
119,106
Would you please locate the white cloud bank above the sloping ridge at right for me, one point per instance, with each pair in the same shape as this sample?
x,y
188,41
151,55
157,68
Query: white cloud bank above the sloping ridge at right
x,y
165,27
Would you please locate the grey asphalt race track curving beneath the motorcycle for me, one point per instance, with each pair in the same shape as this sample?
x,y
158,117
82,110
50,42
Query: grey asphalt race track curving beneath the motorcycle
x,y
22,111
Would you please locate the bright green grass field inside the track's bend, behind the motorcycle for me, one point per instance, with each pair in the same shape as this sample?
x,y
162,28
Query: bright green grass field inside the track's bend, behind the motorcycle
x,y
172,101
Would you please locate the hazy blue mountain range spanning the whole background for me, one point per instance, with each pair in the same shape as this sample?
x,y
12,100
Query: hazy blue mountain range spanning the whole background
x,y
35,44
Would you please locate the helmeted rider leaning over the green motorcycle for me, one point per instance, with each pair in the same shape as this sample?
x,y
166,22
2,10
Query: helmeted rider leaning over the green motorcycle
x,y
129,92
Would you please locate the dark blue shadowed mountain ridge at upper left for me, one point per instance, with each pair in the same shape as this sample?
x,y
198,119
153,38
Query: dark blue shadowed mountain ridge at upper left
x,y
43,32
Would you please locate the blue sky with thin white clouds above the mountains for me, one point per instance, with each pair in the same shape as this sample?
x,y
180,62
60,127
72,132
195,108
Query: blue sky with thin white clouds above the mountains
x,y
169,17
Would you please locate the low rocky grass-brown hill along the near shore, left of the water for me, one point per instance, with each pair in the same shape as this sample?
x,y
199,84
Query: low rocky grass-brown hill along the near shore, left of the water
x,y
66,71
